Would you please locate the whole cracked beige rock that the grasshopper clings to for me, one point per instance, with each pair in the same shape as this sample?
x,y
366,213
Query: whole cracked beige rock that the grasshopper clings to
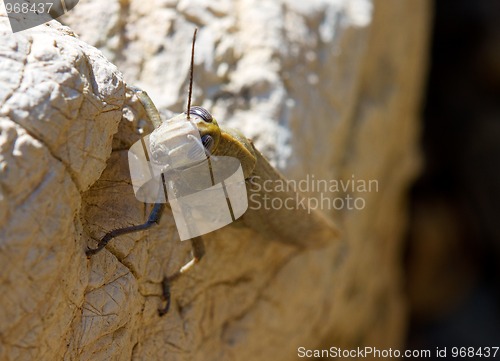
x,y
329,89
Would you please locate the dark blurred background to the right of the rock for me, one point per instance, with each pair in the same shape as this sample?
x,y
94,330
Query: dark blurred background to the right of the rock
x,y
453,249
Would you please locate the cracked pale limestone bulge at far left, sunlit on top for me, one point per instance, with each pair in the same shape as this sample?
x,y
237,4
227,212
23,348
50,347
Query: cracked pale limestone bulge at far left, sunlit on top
x,y
60,104
